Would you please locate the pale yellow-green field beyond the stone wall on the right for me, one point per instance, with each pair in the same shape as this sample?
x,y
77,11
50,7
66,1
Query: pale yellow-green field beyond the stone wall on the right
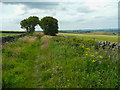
x,y
112,38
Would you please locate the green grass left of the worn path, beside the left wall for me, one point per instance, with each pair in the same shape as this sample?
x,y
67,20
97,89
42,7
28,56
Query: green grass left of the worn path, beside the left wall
x,y
18,60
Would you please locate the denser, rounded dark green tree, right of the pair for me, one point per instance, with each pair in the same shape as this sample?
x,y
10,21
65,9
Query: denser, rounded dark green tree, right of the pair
x,y
49,25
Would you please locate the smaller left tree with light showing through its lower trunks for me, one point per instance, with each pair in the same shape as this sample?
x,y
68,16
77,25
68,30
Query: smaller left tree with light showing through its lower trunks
x,y
30,23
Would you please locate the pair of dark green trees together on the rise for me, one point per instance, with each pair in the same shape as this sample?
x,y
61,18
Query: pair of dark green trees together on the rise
x,y
48,24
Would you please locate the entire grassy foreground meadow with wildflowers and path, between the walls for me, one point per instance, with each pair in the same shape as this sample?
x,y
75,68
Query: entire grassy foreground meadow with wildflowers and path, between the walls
x,y
41,61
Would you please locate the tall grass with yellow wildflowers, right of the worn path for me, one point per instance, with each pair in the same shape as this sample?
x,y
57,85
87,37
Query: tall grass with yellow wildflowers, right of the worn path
x,y
81,67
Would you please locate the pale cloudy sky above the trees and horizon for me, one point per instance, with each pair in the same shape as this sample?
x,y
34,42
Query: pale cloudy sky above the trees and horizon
x,y
71,14
